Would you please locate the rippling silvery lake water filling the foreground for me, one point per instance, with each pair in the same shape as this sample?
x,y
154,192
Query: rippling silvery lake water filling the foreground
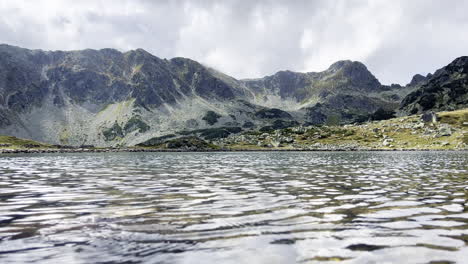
x,y
269,207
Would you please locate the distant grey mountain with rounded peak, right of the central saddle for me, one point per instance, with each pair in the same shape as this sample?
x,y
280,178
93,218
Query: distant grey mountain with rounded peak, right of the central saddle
x,y
346,91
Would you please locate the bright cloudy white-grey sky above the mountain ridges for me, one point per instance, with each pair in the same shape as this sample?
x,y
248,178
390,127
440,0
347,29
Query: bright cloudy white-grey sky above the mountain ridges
x,y
245,39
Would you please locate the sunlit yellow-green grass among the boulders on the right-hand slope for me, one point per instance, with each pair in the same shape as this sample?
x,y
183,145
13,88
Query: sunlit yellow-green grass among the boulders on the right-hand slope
x,y
371,135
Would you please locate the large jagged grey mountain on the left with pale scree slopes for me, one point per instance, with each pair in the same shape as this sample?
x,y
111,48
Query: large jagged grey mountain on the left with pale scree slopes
x,y
105,97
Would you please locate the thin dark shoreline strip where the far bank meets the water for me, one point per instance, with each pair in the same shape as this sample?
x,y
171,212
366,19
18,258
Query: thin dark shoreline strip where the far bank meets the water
x,y
129,150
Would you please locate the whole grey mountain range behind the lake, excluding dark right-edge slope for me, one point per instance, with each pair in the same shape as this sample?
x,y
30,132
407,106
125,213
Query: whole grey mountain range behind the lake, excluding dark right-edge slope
x,y
109,98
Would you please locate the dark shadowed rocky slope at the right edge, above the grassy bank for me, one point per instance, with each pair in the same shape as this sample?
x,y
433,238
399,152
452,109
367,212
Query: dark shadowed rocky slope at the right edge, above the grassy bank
x,y
446,90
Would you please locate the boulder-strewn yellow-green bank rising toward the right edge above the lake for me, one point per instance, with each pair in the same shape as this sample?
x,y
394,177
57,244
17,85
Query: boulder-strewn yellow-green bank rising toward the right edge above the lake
x,y
410,132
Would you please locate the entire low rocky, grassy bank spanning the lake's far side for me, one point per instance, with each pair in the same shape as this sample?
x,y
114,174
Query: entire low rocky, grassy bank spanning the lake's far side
x,y
427,132
